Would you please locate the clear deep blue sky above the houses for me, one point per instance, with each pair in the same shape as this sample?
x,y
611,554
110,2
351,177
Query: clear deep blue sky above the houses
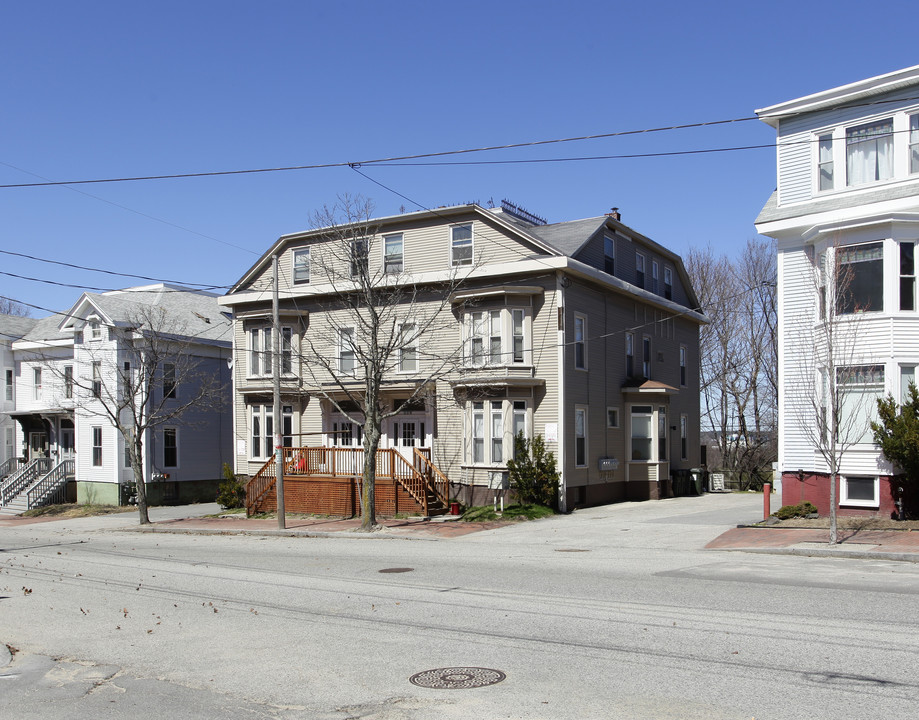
x,y
115,89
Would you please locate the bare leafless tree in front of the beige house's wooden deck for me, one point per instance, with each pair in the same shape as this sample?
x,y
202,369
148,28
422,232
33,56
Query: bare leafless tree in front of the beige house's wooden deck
x,y
377,320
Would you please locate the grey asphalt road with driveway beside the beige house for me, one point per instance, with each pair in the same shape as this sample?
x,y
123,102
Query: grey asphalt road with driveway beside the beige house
x,y
612,612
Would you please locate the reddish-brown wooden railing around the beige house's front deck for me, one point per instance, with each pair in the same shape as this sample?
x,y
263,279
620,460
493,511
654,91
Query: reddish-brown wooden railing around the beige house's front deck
x,y
338,462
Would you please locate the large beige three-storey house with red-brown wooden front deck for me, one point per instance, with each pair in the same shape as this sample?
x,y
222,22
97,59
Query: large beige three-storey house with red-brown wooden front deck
x,y
583,332
